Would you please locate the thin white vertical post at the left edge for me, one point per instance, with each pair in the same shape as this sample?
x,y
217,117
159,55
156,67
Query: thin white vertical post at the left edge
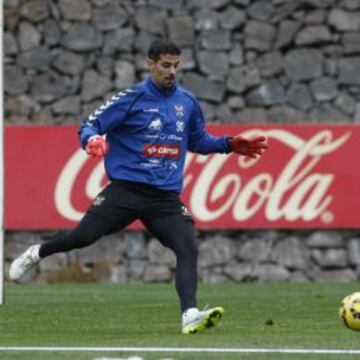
x,y
1,157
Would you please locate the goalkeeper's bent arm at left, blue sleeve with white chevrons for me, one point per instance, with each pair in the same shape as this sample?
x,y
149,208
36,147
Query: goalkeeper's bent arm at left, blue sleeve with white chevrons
x,y
107,116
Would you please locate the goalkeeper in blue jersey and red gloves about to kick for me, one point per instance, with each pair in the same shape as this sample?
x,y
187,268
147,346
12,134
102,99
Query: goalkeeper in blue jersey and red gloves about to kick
x,y
148,129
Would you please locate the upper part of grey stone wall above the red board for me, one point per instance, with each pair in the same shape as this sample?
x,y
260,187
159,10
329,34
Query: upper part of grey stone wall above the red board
x,y
276,61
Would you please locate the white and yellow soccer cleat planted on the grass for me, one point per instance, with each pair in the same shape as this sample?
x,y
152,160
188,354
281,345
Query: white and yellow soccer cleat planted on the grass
x,y
194,320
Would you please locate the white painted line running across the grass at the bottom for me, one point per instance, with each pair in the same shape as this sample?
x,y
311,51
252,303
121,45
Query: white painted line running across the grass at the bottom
x,y
178,350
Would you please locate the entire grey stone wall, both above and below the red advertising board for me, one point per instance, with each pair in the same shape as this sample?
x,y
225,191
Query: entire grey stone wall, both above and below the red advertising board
x,y
246,60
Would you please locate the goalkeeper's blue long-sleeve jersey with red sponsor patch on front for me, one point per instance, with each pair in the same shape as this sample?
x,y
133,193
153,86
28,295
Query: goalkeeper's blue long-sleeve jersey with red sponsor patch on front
x,y
149,129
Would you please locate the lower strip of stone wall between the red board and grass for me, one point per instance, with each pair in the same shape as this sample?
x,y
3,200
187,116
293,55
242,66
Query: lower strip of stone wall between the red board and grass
x,y
228,256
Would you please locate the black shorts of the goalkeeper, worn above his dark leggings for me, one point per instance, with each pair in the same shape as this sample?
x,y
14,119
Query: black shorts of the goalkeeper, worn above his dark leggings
x,y
129,201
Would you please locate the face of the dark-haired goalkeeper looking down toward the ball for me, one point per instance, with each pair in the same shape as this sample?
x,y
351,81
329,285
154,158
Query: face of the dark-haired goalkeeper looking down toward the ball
x,y
164,70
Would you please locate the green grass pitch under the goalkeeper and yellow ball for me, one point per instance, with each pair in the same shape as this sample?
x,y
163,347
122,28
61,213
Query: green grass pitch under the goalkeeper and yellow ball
x,y
290,316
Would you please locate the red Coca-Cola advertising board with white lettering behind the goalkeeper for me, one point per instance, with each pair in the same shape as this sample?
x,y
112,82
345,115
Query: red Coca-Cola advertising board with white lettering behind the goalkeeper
x,y
308,178
